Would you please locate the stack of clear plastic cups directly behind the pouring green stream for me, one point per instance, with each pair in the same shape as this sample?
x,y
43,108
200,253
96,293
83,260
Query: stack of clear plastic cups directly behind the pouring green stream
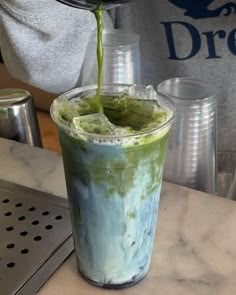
x,y
121,59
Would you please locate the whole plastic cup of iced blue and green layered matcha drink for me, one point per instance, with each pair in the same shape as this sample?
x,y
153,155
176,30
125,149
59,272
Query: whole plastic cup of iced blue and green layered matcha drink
x,y
113,167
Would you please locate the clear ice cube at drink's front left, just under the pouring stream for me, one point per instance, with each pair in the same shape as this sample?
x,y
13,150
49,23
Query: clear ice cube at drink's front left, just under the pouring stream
x,y
94,123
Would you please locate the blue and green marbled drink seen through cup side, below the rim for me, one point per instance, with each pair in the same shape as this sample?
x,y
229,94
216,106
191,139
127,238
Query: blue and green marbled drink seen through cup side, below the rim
x,y
114,192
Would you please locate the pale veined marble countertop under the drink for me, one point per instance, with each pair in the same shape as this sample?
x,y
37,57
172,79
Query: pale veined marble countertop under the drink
x,y
195,247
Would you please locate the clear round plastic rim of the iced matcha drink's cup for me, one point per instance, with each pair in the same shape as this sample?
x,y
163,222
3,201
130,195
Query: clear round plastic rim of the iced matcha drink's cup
x,y
71,93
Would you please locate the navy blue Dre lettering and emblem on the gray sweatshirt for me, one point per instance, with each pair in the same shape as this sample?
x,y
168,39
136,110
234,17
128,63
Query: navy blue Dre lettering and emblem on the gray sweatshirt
x,y
199,10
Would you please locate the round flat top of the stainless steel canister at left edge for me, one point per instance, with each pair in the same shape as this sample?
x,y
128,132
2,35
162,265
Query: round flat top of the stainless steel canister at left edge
x,y
12,96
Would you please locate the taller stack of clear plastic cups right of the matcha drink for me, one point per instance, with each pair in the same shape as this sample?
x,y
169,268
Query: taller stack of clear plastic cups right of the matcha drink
x,y
191,156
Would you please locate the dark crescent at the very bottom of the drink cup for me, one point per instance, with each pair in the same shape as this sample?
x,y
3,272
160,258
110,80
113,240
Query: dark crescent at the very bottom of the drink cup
x,y
113,286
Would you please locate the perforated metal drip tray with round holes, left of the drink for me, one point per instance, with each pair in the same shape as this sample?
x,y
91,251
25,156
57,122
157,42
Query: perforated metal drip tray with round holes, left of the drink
x,y
35,238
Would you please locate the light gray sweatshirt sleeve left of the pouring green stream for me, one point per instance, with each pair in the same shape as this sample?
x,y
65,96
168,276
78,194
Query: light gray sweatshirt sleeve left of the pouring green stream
x,y
43,42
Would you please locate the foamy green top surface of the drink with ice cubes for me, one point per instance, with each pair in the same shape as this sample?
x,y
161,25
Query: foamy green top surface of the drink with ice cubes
x,y
127,117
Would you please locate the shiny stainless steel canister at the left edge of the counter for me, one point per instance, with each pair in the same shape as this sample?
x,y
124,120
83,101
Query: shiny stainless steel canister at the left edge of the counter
x,y
18,119
